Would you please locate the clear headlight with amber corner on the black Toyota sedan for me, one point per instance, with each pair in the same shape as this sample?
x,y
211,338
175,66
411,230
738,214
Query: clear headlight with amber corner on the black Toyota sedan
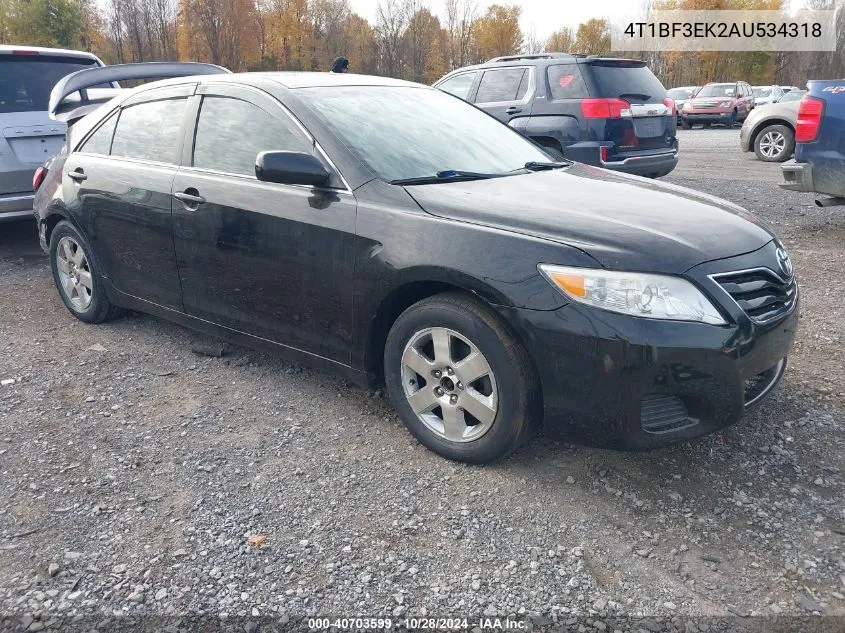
x,y
635,294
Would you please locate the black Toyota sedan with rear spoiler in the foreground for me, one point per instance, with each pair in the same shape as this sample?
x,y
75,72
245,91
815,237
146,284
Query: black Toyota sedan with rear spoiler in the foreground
x,y
395,234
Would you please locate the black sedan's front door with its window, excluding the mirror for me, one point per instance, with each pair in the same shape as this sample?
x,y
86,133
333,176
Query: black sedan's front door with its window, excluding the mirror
x,y
271,260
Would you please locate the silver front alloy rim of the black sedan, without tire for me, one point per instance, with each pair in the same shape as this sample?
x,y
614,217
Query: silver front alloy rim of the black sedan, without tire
x,y
449,384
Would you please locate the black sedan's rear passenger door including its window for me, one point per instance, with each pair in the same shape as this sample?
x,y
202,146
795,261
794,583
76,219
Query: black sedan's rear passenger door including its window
x,y
119,184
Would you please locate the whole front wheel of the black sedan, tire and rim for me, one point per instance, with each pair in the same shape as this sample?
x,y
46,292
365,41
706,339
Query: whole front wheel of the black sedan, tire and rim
x,y
477,422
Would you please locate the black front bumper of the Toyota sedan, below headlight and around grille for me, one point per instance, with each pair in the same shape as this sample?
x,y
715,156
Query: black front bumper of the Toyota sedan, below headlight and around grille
x,y
633,383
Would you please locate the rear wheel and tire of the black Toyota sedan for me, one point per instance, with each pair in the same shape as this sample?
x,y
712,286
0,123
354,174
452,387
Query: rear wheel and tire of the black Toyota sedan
x,y
77,276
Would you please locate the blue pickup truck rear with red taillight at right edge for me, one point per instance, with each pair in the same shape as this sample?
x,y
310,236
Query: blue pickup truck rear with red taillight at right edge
x,y
819,164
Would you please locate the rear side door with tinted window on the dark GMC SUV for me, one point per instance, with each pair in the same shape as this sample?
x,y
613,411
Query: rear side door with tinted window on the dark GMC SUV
x,y
506,93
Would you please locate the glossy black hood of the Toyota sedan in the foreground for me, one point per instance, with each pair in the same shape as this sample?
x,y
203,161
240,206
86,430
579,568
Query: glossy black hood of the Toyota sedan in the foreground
x,y
624,222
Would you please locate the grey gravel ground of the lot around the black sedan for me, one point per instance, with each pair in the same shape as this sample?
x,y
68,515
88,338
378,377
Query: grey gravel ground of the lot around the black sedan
x,y
134,471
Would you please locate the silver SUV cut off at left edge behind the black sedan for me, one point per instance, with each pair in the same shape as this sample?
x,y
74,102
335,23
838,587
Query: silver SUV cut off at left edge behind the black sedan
x,y
28,137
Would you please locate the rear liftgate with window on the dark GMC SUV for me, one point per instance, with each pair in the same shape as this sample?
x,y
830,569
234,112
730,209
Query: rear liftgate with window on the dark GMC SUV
x,y
648,124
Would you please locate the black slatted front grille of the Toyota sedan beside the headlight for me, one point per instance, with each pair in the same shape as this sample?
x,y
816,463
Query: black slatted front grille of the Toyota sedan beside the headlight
x,y
760,293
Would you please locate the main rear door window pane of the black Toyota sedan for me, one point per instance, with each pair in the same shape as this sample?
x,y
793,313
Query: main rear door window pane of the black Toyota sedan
x,y
150,131
